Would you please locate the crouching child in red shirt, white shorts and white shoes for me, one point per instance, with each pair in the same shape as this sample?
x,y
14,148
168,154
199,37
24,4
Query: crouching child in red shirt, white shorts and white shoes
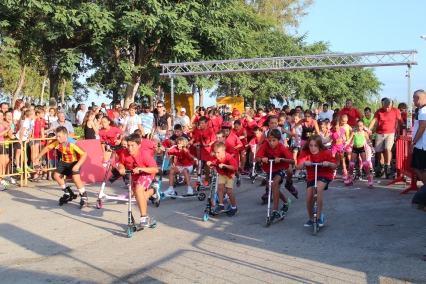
x,y
183,163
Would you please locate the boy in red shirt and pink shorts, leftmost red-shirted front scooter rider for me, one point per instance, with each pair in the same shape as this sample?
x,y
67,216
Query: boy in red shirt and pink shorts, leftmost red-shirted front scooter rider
x,y
144,169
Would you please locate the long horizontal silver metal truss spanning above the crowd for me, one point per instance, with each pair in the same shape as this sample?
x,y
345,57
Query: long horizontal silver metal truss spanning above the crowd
x,y
288,63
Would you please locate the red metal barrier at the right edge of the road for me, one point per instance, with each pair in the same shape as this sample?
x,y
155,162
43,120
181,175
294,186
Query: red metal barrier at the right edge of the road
x,y
403,160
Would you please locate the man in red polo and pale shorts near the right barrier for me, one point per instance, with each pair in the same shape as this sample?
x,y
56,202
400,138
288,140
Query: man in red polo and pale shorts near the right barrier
x,y
387,121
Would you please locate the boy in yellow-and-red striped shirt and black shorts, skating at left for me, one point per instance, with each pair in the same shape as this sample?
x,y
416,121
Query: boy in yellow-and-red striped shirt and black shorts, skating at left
x,y
69,164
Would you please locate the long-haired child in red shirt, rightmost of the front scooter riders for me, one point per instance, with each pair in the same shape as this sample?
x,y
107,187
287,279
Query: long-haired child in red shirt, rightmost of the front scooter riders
x,y
314,151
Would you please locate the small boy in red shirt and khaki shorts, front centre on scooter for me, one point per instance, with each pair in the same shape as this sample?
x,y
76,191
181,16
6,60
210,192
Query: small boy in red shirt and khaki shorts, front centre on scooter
x,y
226,168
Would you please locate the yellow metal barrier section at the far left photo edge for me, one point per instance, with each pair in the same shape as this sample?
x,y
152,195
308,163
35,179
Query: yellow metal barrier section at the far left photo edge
x,y
7,160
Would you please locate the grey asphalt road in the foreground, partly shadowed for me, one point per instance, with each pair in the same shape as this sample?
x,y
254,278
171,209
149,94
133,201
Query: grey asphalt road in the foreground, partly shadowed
x,y
370,236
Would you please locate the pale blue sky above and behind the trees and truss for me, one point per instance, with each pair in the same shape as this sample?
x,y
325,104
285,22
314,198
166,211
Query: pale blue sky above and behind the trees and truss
x,y
352,26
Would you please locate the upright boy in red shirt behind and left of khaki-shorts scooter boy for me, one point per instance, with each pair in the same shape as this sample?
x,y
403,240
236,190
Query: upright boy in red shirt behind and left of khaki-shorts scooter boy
x,y
204,138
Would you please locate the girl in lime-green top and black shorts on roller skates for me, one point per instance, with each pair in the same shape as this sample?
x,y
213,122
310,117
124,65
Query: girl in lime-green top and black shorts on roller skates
x,y
358,138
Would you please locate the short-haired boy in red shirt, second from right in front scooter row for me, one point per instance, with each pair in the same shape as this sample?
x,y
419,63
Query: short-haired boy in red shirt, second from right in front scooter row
x,y
283,161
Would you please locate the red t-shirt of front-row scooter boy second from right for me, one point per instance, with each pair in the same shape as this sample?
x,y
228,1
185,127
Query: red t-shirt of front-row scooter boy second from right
x,y
265,151
